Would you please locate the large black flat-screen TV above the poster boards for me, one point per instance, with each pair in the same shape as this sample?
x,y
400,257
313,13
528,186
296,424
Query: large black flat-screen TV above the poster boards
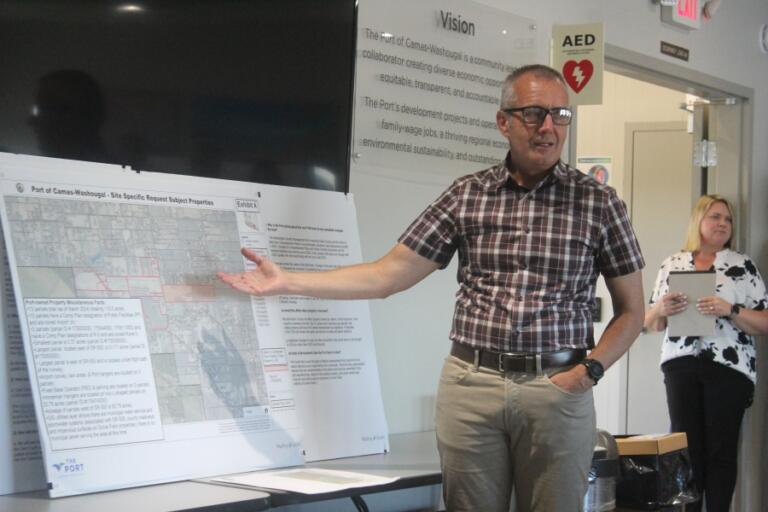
x,y
252,90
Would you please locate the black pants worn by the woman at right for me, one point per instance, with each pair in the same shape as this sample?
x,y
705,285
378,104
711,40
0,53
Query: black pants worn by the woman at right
x,y
707,401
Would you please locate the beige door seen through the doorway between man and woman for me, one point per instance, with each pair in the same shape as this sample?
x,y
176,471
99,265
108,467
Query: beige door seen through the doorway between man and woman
x,y
660,179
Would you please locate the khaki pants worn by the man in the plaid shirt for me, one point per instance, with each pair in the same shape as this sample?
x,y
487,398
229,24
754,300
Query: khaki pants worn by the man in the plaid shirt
x,y
496,432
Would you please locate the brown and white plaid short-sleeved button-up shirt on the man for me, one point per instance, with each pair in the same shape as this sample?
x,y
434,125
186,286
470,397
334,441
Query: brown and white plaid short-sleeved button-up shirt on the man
x,y
528,259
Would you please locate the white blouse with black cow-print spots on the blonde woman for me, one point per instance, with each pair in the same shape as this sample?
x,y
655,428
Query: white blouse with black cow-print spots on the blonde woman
x,y
737,281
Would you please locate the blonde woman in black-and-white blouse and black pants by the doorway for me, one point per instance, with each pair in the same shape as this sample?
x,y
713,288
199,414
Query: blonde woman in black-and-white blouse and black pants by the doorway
x,y
710,380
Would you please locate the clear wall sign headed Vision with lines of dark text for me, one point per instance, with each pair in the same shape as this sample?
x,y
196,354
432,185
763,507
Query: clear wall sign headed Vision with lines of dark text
x,y
428,80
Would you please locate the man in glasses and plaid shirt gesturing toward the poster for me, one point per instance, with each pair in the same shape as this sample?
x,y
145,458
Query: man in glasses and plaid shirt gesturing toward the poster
x,y
514,403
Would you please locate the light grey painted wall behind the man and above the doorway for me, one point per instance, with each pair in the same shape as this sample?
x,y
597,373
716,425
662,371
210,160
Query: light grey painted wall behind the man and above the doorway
x,y
411,330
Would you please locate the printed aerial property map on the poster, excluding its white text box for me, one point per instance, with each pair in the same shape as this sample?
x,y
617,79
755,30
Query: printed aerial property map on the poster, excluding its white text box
x,y
202,338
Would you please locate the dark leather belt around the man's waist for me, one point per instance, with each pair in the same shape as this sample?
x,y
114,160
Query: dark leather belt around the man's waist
x,y
517,361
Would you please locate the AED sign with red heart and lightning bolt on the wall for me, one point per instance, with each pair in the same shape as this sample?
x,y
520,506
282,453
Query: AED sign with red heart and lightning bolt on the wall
x,y
578,53
